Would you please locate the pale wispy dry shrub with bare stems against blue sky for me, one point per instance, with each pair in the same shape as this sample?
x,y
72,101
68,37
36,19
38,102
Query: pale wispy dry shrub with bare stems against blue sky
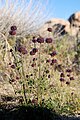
x,y
28,16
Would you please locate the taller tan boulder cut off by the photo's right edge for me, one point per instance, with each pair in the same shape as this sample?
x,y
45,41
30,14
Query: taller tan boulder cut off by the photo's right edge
x,y
74,20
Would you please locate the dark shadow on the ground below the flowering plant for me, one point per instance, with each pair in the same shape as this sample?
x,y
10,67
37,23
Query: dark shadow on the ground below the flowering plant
x,y
31,113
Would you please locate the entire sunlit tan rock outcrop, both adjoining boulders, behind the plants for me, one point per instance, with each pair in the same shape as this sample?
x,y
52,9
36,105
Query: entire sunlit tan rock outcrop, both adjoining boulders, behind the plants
x,y
62,27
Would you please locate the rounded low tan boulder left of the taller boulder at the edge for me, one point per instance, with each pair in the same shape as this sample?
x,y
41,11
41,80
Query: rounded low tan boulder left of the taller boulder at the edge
x,y
59,27
